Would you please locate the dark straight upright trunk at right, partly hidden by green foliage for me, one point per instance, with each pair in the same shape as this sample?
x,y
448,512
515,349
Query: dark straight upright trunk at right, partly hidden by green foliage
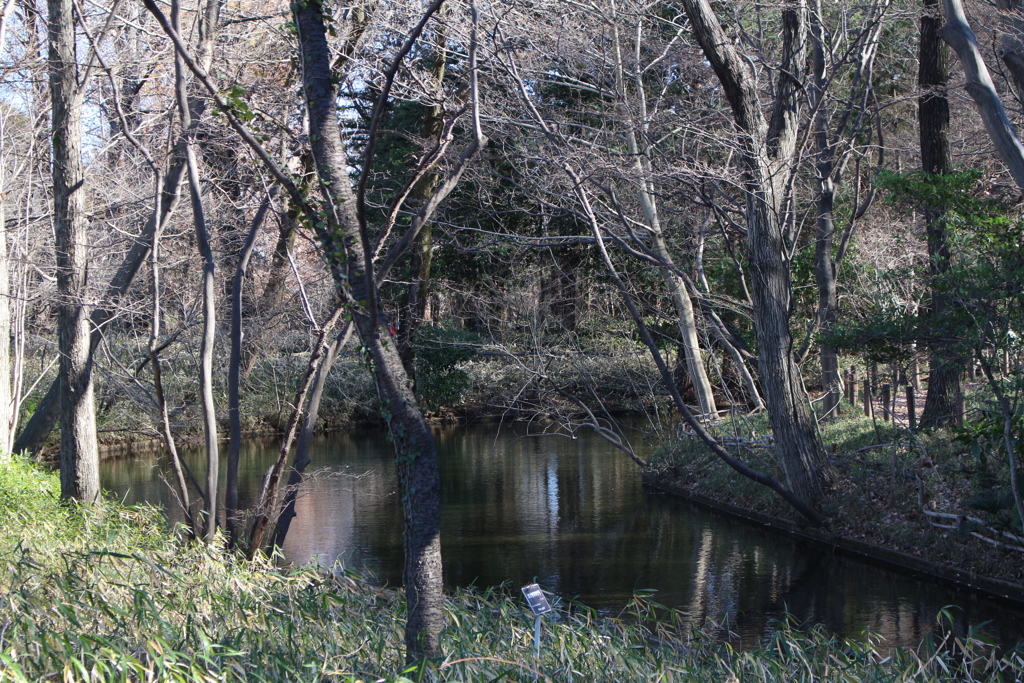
x,y
933,118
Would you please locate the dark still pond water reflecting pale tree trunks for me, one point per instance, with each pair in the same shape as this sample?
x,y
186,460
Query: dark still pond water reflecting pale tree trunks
x,y
572,516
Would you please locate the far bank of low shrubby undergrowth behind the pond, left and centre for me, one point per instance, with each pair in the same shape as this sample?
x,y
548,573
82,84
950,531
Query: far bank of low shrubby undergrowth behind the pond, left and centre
x,y
489,386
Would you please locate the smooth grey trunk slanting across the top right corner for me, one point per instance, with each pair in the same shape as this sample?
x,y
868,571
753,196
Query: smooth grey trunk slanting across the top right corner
x,y
979,86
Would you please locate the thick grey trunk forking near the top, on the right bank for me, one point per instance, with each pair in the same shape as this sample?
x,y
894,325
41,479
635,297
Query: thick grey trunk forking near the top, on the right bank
x,y
769,159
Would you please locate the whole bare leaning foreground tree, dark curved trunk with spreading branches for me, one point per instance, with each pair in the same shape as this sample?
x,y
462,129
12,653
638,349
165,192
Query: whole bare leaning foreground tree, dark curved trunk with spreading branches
x,y
339,219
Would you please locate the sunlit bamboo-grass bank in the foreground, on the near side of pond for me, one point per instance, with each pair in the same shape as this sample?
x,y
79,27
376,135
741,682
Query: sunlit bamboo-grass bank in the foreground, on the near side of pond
x,y
108,594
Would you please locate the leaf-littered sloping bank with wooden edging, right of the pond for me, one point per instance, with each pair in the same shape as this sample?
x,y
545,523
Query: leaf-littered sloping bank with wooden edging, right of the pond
x,y
911,500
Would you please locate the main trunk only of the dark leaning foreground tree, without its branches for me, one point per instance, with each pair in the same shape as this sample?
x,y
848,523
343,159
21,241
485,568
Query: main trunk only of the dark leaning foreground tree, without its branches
x,y
347,249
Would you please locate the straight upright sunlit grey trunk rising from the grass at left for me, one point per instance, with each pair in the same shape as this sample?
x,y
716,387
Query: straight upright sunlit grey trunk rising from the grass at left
x,y
79,451
